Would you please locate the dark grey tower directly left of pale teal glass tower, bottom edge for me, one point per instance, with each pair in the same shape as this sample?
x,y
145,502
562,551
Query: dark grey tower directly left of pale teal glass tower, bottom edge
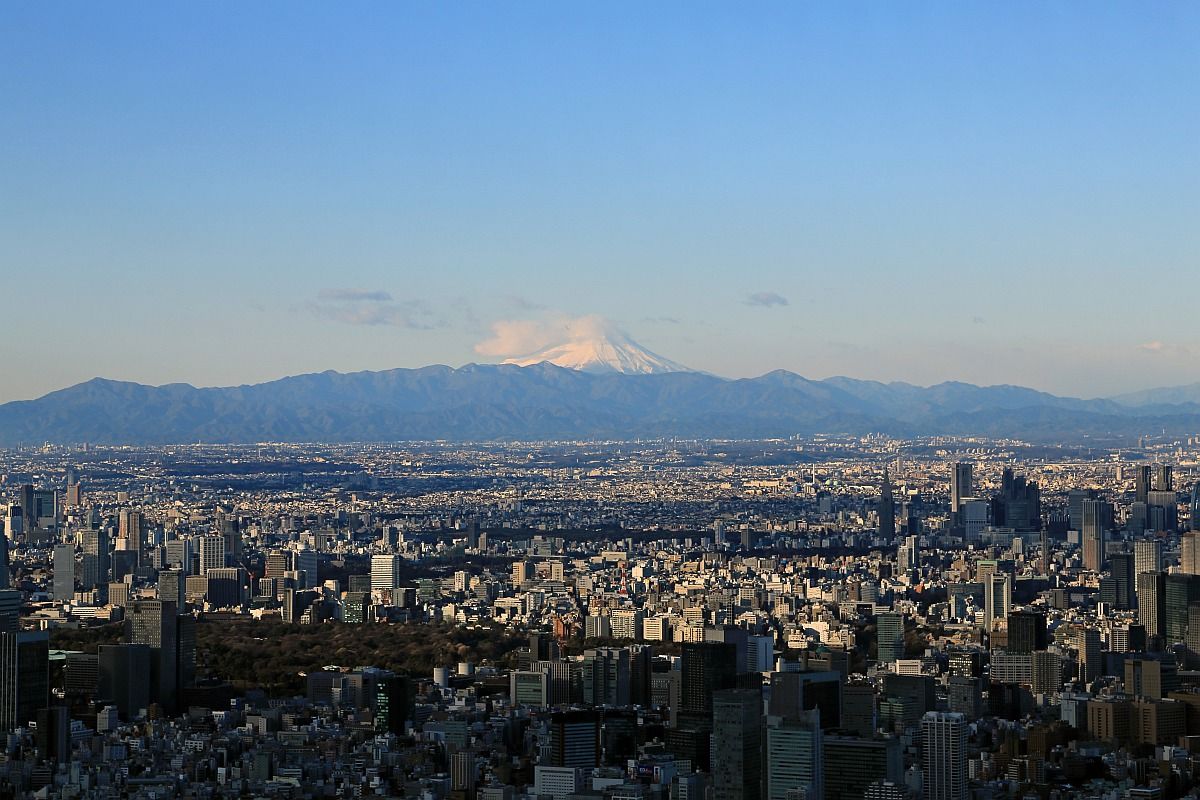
x,y
737,744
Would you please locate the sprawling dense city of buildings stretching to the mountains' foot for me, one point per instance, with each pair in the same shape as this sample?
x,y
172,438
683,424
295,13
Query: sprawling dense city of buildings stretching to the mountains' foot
x,y
820,619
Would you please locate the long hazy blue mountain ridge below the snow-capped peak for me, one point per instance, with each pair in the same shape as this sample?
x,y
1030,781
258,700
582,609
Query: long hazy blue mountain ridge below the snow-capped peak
x,y
544,401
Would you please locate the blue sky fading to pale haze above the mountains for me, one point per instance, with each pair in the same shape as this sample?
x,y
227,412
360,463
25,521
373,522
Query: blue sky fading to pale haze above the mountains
x,y
229,193
